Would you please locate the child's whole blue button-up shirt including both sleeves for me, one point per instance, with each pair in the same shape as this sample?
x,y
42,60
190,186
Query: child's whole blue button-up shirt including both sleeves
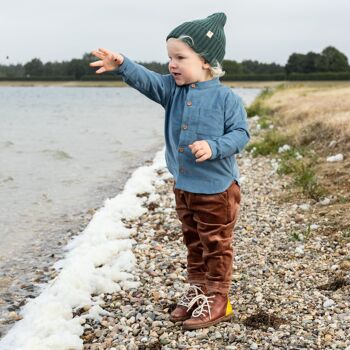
x,y
202,111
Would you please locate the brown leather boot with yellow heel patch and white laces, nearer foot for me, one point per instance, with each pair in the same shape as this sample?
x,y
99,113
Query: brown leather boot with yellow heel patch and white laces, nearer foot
x,y
212,309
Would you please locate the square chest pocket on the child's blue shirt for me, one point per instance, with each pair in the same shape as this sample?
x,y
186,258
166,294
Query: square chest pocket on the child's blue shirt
x,y
210,122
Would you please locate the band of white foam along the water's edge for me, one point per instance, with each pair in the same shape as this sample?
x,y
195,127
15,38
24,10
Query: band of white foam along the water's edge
x,y
99,260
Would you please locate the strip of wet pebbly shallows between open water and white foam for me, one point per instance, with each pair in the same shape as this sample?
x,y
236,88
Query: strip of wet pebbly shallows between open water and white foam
x,y
36,261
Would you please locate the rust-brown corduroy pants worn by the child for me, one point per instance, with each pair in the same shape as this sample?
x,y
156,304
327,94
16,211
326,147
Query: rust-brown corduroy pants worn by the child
x,y
207,225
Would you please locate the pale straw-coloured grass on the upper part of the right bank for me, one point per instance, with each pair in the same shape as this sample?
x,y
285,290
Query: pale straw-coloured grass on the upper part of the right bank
x,y
314,114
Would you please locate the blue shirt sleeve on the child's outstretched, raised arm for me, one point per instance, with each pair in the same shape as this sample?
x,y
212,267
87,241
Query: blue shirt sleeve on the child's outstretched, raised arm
x,y
155,86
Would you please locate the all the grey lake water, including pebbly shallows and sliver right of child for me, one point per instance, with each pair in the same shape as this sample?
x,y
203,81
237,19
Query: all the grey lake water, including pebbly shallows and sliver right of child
x,y
64,151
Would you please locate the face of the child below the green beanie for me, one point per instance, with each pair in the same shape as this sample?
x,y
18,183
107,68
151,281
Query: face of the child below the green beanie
x,y
185,65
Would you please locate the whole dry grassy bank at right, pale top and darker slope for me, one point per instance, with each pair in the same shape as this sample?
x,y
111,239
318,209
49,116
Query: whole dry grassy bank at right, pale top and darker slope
x,y
313,115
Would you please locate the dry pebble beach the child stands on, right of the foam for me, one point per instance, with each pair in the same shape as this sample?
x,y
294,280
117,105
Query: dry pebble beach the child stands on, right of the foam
x,y
286,293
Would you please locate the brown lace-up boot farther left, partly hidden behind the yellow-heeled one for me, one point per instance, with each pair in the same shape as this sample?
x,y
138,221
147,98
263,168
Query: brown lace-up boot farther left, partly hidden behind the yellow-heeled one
x,y
182,311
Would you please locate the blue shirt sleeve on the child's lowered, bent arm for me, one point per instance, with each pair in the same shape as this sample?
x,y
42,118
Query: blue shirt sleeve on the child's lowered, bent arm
x,y
236,134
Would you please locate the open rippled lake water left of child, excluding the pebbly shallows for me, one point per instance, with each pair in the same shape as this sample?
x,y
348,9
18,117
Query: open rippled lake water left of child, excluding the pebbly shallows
x,y
59,146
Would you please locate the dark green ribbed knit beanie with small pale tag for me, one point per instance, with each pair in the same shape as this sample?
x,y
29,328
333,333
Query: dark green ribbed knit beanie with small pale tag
x,y
207,34
